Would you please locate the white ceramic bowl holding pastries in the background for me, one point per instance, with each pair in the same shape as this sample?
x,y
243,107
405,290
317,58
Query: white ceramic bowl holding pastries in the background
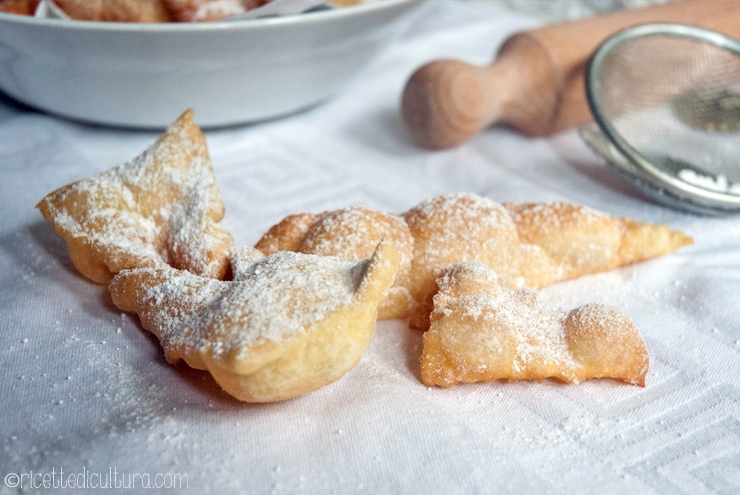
x,y
144,75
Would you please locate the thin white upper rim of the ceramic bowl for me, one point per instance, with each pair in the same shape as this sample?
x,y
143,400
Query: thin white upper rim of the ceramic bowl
x,y
212,26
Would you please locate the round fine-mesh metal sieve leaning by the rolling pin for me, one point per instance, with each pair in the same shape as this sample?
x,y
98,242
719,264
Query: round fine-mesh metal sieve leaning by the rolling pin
x,y
666,101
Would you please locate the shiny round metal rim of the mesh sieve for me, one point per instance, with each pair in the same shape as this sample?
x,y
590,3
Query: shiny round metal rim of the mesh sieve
x,y
664,180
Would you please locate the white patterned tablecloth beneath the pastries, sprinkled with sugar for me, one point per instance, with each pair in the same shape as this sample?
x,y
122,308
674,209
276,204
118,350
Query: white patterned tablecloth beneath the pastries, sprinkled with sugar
x,y
87,392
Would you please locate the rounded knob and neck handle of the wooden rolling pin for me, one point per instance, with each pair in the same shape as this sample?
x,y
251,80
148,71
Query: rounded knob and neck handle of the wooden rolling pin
x,y
447,102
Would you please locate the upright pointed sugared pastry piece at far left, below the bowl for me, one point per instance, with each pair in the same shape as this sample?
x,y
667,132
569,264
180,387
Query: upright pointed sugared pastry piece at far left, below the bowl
x,y
162,207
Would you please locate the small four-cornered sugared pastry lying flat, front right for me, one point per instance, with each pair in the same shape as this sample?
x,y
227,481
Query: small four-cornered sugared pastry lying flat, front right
x,y
482,331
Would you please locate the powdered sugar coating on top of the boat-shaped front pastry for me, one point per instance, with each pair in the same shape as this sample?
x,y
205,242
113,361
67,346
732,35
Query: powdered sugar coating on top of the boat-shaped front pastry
x,y
279,296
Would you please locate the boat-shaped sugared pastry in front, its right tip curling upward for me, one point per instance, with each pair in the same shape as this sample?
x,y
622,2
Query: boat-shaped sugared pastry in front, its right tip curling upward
x,y
286,325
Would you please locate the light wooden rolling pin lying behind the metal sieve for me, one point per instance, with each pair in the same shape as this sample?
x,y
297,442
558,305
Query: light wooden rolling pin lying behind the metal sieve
x,y
536,83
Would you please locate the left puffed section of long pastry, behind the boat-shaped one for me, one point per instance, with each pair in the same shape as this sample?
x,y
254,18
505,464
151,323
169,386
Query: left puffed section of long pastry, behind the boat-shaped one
x,y
350,233
